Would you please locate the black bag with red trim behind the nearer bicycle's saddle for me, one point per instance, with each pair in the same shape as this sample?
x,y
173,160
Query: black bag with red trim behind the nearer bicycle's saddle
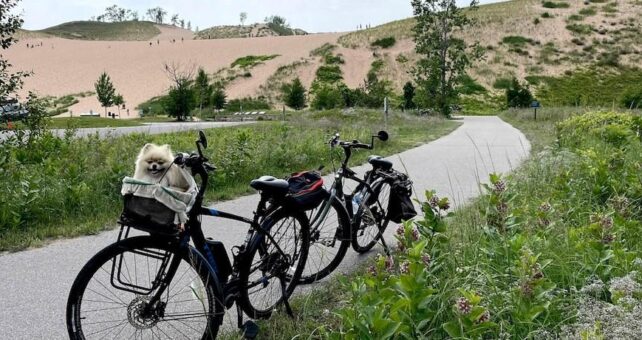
x,y
306,190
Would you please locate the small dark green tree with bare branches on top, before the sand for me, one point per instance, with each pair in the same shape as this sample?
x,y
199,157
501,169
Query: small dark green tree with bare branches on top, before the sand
x,y
181,99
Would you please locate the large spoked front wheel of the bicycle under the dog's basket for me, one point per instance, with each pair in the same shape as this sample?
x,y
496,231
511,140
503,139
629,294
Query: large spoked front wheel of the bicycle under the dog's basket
x,y
109,297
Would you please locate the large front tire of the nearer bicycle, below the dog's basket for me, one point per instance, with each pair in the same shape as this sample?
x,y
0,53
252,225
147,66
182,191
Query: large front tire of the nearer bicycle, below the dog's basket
x,y
211,287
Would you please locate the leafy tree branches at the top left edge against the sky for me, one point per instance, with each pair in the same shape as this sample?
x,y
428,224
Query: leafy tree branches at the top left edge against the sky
x,y
9,24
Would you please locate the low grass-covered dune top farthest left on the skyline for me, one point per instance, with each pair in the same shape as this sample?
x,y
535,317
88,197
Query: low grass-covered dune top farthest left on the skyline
x,y
94,30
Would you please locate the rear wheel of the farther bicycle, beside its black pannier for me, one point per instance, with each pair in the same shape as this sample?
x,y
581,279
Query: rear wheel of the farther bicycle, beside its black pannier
x,y
370,220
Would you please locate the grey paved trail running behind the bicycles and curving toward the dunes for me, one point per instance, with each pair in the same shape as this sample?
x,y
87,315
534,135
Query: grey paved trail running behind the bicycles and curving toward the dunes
x,y
35,283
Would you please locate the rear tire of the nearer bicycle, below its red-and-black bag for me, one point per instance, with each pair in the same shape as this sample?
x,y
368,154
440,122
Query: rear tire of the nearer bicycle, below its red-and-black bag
x,y
260,245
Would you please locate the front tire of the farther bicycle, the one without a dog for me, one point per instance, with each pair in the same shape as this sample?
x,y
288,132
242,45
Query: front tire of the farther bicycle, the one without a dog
x,y
340,240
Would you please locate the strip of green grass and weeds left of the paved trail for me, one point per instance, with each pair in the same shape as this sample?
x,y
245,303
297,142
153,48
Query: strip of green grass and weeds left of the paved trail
x,y
65,187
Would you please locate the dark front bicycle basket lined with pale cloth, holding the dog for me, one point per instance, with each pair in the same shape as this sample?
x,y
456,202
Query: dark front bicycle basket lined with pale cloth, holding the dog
x,y
155,208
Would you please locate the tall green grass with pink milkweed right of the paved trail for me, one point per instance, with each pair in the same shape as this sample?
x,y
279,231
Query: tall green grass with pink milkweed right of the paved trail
x,y
550,264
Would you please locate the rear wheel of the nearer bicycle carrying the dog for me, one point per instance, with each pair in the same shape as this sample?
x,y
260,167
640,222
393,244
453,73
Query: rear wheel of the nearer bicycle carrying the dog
x,y
267,276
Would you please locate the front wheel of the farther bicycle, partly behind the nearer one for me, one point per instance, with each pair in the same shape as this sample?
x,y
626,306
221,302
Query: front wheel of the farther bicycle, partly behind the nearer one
x,y
329,241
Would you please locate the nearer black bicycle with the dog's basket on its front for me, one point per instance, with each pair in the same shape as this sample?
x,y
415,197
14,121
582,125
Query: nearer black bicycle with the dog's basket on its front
x,y
159,285
